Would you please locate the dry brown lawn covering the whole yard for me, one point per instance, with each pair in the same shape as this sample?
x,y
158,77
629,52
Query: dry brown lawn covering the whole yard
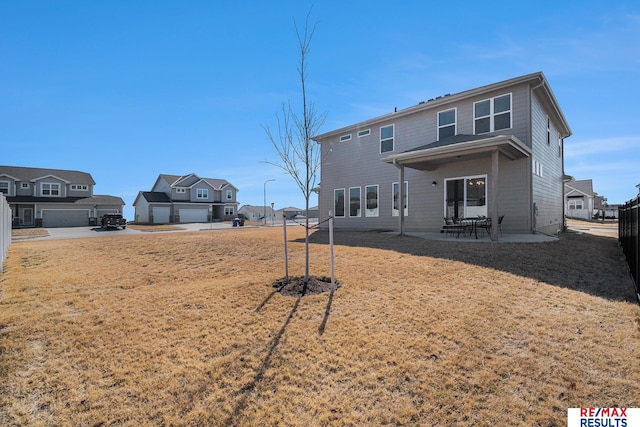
x,y
185,329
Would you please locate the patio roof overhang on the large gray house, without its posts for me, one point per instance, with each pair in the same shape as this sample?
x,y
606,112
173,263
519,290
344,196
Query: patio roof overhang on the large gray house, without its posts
x,y
458,148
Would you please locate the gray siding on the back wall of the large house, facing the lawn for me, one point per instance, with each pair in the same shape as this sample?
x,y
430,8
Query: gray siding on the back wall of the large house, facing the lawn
x,y
359,163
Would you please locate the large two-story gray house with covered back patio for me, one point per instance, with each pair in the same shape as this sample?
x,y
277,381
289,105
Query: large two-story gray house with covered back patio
x,y
491,151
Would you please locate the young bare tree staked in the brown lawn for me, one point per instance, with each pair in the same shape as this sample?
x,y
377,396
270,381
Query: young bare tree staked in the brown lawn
x,y
299,155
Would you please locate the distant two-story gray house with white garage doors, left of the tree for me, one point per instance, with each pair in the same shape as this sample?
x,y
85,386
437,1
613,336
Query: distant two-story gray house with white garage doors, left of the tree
x,y
188,198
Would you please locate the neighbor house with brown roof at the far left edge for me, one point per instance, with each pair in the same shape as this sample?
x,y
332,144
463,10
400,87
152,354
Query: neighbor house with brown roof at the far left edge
x,y
41,197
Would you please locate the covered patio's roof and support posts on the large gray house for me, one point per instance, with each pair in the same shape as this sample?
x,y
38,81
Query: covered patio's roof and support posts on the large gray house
x,y
457,148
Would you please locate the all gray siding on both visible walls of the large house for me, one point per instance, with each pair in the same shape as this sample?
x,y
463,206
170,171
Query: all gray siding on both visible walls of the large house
x,y
358,163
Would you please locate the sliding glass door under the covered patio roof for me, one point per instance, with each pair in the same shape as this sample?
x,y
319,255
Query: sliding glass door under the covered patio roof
x,y
466,197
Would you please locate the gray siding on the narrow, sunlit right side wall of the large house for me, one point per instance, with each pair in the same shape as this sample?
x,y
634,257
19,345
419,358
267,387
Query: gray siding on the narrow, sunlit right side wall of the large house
x,y
548,194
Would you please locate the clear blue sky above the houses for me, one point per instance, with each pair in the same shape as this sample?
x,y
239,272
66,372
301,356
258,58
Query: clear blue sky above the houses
x,y
126,90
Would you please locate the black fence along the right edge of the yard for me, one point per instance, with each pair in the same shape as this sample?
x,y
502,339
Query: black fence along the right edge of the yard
x,y
628,219
